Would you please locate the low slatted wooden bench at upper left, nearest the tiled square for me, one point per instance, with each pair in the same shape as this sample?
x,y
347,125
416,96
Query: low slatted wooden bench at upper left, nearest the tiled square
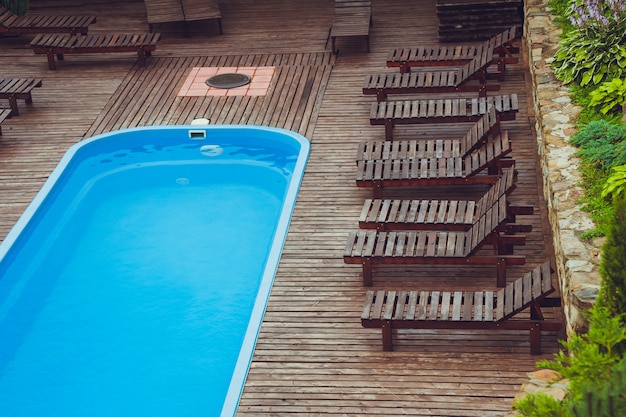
x,y
143,44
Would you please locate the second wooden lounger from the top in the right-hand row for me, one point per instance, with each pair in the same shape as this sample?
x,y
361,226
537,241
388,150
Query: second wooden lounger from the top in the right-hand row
x,y
434,81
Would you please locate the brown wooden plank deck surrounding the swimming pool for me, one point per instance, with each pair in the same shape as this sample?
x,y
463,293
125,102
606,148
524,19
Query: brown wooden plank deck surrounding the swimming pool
x,y
312,357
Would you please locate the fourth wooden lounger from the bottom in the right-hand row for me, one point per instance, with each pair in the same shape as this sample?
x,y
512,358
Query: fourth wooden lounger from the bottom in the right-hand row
x,y
414,172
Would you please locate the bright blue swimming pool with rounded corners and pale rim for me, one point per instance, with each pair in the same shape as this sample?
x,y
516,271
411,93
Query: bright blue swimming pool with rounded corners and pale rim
x,y
136,281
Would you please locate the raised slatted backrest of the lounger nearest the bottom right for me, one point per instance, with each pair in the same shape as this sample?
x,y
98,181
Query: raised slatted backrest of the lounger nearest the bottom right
x,y
519,294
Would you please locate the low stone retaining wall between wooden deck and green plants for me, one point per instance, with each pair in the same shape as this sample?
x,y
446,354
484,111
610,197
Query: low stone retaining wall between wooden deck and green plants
x,y
576,261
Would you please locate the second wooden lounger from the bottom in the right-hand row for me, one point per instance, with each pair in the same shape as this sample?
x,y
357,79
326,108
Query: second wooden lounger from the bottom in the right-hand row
x,y
437,247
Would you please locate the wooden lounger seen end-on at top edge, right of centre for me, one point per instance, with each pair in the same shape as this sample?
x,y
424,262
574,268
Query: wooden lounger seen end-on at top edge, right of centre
x,y
353,18
